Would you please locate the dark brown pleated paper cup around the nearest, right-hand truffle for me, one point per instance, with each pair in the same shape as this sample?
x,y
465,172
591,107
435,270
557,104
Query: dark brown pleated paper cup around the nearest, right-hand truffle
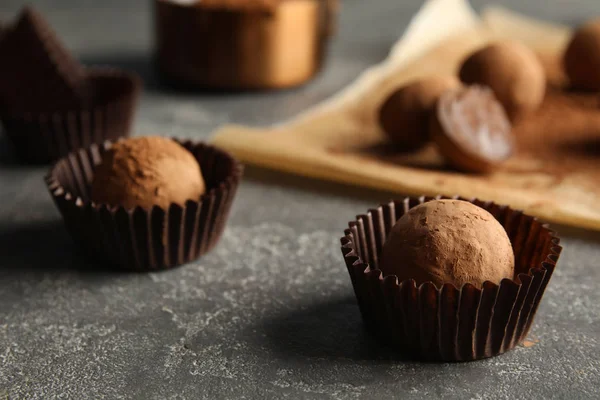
x,y
449,324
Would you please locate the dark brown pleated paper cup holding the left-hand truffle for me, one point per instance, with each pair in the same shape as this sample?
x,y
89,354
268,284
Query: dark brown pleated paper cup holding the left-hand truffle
x,y
140,239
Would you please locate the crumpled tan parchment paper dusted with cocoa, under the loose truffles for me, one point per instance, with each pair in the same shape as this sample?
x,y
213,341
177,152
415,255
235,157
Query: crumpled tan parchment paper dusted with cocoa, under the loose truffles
x,y
554,176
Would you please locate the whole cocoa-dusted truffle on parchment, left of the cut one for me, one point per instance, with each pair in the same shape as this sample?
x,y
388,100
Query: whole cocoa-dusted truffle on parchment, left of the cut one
x,y
404,116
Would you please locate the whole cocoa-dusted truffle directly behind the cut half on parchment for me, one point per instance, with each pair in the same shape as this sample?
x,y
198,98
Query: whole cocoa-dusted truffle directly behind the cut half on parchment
x,y
512,71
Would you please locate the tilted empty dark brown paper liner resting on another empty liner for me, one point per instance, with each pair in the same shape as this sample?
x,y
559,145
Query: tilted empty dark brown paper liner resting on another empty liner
x,y
37,73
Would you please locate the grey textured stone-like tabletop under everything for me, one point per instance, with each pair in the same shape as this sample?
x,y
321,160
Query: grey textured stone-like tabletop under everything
x,y
270,312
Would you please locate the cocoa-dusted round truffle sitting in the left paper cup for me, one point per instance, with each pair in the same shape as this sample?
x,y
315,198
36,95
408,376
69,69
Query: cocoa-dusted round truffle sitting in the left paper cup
x,y
146,172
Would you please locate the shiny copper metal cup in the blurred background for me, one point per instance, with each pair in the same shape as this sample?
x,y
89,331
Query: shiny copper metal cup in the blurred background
x,y
242,48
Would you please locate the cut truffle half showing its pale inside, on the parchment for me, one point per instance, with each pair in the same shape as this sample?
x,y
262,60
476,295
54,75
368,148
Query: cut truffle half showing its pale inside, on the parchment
x,y
471,129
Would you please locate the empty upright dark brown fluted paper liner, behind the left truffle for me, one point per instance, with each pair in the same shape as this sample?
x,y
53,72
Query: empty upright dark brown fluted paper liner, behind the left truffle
x,y
45,137
